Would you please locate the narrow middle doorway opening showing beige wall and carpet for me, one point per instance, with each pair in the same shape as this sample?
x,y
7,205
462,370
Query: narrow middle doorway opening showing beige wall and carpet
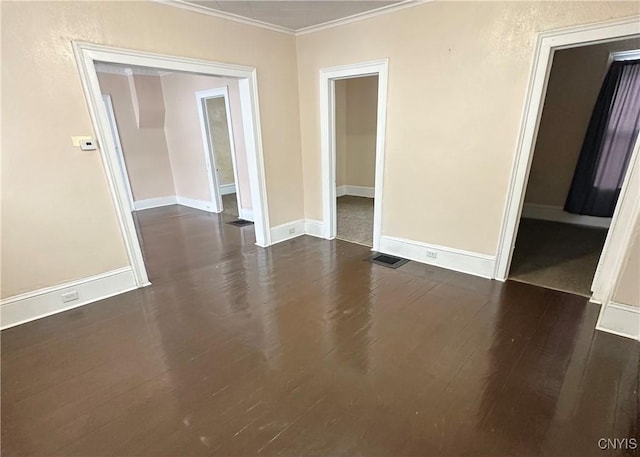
x,y
356,105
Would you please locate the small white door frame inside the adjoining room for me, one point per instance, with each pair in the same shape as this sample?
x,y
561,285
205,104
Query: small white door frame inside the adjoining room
x,y
209,149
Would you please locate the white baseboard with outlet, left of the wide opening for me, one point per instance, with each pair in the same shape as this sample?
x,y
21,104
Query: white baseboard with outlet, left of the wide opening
x,y
40,303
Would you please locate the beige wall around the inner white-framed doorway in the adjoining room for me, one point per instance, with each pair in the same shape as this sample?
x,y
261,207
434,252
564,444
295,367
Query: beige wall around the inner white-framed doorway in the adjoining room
x,y
184,137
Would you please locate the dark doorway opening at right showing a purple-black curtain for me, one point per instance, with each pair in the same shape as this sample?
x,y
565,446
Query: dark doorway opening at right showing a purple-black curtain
x,y
588,128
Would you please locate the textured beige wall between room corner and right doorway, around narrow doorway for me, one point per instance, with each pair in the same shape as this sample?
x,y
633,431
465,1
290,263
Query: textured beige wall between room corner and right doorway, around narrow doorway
x,y
457,83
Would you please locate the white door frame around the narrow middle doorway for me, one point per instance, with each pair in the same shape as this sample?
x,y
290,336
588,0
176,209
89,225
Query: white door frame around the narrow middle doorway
x,y
328,77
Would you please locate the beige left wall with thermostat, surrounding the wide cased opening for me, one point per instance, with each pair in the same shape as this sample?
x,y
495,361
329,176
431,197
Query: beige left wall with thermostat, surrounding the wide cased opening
x,y
59,223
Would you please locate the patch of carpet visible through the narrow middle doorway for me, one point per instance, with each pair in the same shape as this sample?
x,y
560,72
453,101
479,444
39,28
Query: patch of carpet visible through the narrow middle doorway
x,y
355,220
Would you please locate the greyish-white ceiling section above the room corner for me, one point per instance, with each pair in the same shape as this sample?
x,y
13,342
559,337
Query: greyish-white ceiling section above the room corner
x,y
291,15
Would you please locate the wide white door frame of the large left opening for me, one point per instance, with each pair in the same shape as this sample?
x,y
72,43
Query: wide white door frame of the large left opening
x,y
86,56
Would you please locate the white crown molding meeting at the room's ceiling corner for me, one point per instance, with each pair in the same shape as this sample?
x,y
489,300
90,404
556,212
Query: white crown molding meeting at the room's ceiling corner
x,y
183,4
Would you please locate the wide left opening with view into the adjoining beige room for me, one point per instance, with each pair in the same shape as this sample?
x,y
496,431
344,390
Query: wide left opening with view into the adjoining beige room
x,y
175,166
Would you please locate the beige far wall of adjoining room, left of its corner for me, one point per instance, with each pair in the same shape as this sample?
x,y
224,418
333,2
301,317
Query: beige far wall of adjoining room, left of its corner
x,y
144,148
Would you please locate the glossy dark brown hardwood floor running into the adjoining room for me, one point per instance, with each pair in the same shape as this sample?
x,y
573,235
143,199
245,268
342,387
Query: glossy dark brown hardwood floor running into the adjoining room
x,y
306,349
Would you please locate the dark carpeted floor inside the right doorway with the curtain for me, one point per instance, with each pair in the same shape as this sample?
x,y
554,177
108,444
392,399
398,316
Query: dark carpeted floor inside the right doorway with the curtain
x,y
557,256
